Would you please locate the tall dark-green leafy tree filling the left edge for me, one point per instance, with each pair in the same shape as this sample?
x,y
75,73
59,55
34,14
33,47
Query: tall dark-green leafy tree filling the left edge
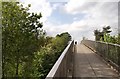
x,y
20,38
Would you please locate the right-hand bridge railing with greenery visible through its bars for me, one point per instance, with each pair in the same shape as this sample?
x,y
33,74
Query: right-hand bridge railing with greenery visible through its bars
x,y
109,51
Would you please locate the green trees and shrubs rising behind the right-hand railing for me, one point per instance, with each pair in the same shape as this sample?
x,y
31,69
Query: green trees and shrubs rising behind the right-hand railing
x,y
105,36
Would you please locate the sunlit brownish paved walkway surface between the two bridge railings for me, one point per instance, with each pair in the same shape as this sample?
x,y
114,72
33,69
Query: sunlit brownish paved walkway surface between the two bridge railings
x,y
89,65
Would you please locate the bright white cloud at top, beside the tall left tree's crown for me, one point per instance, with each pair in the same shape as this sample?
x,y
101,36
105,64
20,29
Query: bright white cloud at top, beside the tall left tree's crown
x,y
38,6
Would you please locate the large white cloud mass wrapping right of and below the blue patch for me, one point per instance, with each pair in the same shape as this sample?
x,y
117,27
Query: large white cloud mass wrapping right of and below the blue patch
x,y
98,14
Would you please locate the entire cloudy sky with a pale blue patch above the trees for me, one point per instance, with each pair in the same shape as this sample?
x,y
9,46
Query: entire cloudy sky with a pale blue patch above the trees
x,y
78,17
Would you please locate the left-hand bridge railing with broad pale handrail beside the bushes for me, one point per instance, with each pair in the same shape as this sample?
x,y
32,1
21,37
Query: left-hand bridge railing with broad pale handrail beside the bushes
x,y
63,66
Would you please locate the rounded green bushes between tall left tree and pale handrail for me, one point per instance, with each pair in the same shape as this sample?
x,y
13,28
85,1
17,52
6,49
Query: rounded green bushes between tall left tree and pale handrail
x,y
48,55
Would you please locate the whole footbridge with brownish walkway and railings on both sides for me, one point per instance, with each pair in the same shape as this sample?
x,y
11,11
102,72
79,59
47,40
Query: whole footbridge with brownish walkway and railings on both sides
x,y
87,60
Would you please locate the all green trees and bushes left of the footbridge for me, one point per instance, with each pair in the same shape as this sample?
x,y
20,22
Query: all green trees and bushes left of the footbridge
x,y
26,49
